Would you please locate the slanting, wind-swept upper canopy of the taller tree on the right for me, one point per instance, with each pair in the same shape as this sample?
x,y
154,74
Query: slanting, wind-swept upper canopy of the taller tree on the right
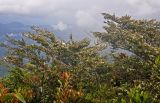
x,y
141,37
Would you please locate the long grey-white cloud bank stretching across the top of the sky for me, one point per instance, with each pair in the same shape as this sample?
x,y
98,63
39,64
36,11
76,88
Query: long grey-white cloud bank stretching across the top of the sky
x,y
69,7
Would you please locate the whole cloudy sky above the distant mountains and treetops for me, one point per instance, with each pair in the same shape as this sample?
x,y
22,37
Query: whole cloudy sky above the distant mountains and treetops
x,y
74,15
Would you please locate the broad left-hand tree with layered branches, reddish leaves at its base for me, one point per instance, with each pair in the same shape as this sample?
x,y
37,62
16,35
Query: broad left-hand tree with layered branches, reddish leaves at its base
x,y
51,69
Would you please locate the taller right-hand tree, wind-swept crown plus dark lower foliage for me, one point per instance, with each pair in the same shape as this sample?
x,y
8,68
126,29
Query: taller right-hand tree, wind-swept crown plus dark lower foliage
x,y
142,39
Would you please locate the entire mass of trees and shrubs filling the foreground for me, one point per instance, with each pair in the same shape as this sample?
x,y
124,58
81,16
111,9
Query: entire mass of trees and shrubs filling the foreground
x,y
45,69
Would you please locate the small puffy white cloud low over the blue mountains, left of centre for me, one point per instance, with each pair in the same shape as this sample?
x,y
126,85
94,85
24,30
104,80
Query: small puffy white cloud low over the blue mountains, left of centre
x,y
60,26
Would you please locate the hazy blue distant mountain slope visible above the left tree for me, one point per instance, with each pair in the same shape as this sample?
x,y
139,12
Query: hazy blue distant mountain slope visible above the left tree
x,y
17,27
